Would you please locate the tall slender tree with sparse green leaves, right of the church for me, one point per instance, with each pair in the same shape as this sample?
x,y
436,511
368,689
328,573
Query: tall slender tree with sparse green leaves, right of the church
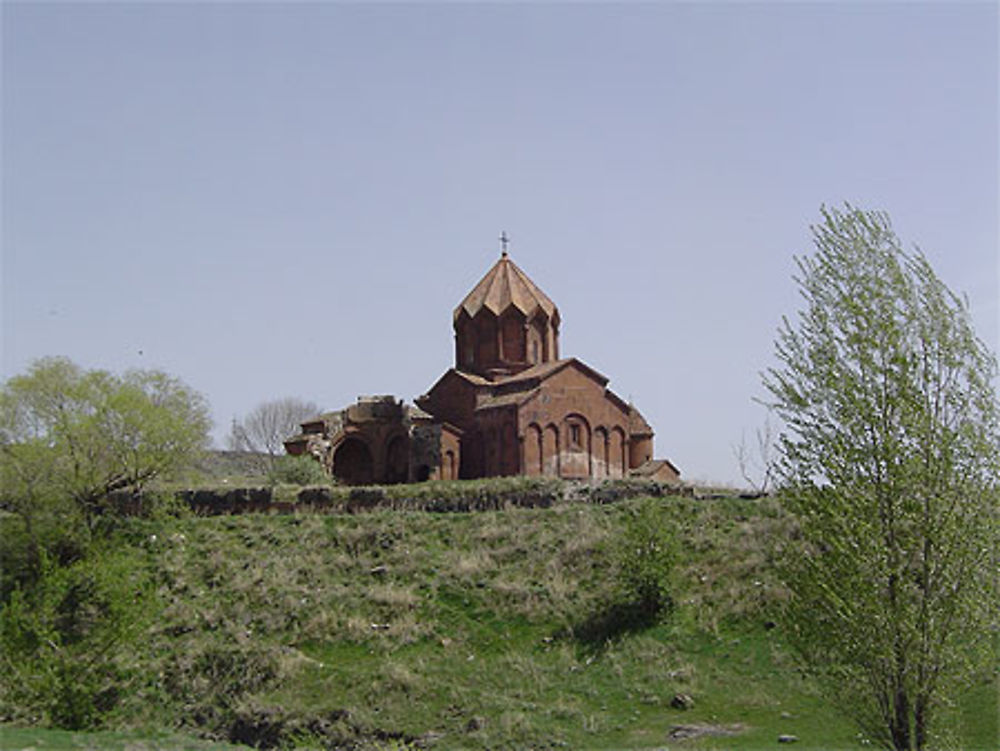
x,y
890,462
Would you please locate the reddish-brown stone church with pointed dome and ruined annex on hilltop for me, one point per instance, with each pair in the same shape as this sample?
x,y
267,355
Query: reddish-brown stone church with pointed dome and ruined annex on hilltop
x,y
509,406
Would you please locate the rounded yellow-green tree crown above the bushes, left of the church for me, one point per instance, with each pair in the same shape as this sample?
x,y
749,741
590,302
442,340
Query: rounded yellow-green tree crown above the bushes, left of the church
x,y
71,434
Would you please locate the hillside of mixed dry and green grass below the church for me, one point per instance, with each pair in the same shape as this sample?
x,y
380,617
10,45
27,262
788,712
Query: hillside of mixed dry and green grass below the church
x,y
494,630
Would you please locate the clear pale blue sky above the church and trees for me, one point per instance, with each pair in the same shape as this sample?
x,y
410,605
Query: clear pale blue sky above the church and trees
x,y
290,199
